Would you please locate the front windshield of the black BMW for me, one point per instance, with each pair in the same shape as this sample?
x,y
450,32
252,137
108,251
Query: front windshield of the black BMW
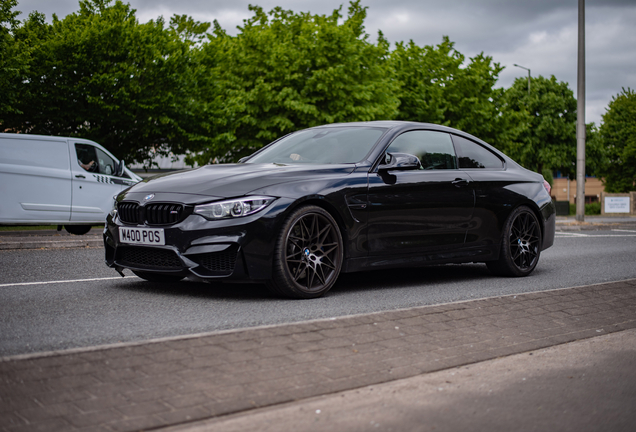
x,y
333,145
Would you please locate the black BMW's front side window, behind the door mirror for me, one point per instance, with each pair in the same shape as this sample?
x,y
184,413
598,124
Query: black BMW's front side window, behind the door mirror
x,y
434,149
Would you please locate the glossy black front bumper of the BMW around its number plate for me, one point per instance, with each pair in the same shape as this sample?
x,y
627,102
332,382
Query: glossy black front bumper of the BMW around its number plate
x,y
235,249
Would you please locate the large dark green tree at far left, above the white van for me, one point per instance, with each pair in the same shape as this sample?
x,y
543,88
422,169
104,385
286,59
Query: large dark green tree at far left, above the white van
x,y
100,74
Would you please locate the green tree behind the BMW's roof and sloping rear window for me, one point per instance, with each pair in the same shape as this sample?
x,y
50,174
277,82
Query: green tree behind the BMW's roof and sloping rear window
x,y
436,87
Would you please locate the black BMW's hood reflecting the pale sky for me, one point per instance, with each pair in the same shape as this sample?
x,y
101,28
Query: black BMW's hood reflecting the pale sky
x,y
232,180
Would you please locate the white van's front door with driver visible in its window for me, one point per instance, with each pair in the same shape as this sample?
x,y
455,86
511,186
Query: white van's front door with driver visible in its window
x,y
94,183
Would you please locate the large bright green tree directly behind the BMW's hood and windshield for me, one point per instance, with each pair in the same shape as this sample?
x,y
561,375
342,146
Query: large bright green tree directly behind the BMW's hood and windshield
x,y
286,71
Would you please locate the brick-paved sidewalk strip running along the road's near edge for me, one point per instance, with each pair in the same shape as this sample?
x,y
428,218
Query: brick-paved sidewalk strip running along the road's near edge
x,y
173,382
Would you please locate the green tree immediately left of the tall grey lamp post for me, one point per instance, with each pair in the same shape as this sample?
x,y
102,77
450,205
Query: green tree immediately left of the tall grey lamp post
x,y
545,137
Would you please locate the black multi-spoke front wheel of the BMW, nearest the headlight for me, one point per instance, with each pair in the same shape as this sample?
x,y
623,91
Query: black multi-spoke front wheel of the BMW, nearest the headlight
x,y
308,254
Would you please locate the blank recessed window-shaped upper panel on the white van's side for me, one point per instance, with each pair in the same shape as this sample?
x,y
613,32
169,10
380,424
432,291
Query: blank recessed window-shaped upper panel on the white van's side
x,y
50,154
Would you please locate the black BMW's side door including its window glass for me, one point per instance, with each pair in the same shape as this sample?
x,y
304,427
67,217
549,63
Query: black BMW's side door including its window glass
x,y
420,210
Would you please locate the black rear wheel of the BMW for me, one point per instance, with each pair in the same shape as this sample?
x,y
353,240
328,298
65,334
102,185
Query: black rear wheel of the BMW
x,y
520,246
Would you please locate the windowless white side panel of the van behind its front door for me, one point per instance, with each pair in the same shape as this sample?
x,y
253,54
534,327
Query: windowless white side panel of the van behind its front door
x,y
35,180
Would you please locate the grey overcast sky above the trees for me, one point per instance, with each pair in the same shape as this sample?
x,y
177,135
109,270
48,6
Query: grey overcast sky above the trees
x,y
538,34
